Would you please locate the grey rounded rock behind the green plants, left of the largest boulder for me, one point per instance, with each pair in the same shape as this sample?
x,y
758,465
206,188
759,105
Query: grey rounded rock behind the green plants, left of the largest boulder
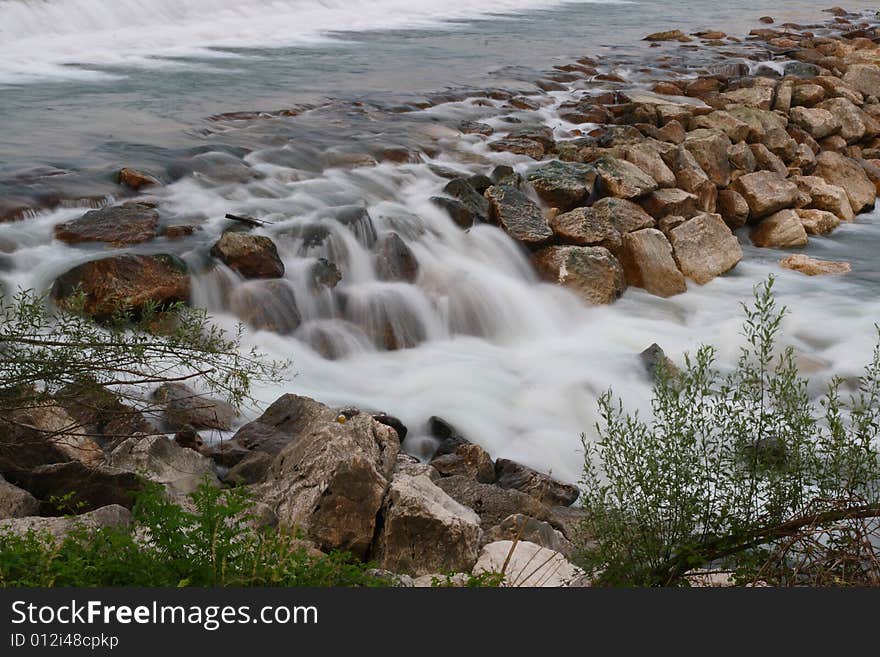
x,y
159,459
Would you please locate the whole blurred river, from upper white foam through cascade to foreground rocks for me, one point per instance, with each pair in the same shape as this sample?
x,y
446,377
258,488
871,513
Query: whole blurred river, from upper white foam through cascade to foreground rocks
x,y
88,86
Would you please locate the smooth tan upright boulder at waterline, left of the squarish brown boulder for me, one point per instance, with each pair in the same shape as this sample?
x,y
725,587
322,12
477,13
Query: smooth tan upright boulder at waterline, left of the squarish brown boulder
x,y
648,263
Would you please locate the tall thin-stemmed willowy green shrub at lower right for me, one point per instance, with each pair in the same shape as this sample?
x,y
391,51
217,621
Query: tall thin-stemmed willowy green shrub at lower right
x,y
739,471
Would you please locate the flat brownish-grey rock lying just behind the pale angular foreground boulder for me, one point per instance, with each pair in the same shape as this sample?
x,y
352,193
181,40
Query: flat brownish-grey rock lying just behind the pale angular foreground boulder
x,y
492,503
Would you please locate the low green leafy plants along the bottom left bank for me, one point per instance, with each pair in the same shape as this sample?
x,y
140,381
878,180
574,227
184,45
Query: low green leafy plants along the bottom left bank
x,y
216,545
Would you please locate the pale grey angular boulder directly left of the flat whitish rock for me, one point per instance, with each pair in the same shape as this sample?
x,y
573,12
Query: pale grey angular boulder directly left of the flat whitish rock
x,y
424,530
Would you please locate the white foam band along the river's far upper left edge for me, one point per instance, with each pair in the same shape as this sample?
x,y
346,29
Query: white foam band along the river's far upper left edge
x,y
40,38
